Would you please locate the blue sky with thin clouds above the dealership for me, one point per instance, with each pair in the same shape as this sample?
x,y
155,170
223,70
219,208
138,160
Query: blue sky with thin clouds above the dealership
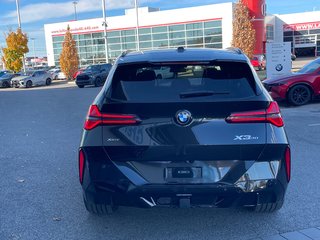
x,y
36,13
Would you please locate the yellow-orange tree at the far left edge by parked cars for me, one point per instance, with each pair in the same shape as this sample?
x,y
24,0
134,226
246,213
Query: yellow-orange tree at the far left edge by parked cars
x,y
17,46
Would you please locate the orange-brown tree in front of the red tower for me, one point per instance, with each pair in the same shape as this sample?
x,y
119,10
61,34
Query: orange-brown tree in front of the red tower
x,y
243,36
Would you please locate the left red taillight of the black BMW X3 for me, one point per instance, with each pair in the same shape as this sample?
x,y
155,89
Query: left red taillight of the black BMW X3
x,y
95,118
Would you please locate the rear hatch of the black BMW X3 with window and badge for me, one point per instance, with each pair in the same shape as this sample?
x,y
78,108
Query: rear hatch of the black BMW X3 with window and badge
x,y
161,149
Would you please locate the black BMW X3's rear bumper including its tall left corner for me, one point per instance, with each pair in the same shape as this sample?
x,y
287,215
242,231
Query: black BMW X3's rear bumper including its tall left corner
x,y
104,181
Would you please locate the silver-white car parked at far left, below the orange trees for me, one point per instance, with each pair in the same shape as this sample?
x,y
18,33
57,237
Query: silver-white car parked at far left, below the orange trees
x,y
32,78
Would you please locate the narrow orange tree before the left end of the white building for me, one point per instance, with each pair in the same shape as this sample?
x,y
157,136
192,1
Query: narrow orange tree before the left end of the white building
x,y
69,59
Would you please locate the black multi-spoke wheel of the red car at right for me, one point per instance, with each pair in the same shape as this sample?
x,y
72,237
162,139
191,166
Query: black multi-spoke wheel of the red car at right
x,y
299,95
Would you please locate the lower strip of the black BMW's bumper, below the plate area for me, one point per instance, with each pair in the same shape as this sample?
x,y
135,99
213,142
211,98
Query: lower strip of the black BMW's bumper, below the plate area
x,y
215,195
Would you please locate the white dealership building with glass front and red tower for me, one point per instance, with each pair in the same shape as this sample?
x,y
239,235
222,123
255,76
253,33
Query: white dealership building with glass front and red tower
x,y
208,26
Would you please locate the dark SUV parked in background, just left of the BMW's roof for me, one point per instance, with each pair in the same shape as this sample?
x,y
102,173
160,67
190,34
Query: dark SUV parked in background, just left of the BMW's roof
x,y
93,75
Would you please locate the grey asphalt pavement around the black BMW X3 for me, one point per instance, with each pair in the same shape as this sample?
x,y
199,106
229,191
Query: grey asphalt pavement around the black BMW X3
x,y
40,196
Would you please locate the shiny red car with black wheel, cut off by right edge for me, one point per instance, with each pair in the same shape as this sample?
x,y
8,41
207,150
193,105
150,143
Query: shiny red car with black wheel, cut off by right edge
x,y
297,88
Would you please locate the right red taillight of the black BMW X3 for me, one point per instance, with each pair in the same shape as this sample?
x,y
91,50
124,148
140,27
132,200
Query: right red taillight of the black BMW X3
x,y
270,115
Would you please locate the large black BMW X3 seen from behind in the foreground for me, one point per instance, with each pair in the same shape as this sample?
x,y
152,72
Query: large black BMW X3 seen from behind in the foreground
x,y
215,138
